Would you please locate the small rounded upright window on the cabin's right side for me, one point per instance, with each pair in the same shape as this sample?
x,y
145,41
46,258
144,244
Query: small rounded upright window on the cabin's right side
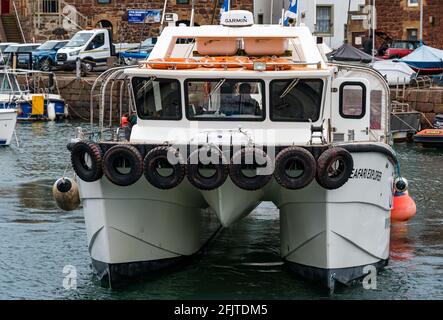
x,y
352,100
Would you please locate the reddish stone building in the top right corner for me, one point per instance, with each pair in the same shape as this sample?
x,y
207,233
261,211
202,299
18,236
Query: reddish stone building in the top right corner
x,y
400,19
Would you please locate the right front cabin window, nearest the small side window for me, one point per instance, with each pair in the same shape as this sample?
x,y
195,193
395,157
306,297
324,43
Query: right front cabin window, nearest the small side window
x,y
296,100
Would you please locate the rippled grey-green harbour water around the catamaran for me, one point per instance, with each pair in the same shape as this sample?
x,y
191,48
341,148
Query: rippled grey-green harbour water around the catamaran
x,y
37,241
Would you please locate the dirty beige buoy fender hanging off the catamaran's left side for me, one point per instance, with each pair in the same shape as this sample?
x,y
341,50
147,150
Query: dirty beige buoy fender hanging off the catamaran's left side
x,y
66,194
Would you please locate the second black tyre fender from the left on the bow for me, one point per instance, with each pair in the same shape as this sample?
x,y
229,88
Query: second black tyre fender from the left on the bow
x,y
121,155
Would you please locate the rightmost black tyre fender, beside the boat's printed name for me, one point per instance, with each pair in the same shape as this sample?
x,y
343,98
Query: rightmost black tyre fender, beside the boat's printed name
x,y
334,168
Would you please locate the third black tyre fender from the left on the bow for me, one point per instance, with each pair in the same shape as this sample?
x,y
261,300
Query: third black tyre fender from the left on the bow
x,y
156,159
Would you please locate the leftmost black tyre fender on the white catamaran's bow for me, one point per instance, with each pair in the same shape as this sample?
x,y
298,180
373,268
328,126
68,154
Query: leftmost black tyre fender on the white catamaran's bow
x,y
86,158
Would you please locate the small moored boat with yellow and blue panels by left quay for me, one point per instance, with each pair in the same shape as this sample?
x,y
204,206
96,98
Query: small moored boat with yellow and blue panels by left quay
x,y
28,93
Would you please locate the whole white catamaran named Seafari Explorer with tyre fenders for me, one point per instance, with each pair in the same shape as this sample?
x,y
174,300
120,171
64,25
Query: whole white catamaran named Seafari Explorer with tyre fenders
x,y
241,114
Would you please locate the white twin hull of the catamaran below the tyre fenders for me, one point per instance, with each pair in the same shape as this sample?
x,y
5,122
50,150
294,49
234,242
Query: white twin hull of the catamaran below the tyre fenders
x,y
326,235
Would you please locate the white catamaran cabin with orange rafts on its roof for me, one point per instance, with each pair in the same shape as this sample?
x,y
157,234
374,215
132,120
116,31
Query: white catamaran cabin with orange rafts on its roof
x,y
268,81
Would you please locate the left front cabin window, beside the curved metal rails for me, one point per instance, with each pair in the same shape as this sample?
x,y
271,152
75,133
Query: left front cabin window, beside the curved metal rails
x,y
157,99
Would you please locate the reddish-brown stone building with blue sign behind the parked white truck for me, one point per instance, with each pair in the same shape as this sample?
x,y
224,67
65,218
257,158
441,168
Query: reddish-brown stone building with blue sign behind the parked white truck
x,y
47,19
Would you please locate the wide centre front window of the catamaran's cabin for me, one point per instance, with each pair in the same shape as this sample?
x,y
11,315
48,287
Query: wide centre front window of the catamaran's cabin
x,y
225,100
